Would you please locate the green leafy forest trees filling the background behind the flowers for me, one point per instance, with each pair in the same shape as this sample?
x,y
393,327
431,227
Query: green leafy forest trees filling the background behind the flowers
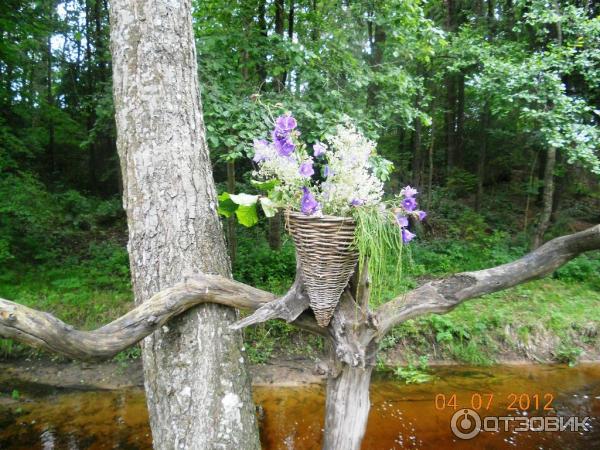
x,y
394,67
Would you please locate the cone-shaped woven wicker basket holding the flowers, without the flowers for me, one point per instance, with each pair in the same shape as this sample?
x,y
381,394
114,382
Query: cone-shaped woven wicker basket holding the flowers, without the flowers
x,y
327,261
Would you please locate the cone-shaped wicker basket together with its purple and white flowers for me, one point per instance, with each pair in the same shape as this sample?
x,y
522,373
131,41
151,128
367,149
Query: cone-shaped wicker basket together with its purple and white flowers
x,y
333,199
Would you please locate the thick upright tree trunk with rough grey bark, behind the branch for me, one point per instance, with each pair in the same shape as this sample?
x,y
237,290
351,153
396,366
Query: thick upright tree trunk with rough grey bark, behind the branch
x,y
197,387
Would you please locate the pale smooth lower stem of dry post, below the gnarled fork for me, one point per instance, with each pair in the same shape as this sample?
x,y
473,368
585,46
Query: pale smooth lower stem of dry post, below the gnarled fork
x,y
347,408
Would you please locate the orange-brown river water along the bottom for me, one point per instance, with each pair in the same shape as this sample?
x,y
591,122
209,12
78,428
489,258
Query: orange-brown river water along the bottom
x,y
402,416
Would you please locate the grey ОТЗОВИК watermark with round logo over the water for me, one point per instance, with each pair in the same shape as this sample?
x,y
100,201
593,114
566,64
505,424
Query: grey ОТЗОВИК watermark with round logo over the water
x,y
467,423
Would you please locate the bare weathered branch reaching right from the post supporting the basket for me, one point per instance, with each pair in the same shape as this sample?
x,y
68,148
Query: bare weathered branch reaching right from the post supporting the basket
x,y
441,296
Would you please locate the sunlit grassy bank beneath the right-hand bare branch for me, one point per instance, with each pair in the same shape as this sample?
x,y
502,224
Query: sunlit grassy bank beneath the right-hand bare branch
x,y
545,320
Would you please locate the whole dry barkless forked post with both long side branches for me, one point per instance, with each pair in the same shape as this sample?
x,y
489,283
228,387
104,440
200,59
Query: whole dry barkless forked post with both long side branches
x,y
352,335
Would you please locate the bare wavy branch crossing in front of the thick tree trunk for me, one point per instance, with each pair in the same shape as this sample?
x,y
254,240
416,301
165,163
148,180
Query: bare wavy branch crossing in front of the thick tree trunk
x,y
41,329
